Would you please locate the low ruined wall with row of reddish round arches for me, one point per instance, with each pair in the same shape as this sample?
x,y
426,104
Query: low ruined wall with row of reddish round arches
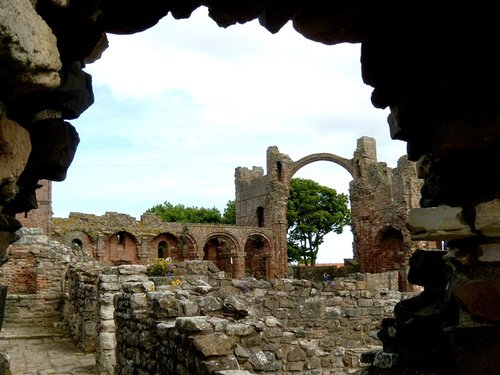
x,y
116,239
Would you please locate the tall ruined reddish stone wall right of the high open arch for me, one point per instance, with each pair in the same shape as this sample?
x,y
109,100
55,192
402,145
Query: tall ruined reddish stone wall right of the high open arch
x,y
381,198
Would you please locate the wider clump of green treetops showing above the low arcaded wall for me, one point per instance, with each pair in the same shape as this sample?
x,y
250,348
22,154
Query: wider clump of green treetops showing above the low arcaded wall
x,y
179,213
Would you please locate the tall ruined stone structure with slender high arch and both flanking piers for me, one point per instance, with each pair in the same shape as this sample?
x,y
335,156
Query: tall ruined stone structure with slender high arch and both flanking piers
x,y
380,197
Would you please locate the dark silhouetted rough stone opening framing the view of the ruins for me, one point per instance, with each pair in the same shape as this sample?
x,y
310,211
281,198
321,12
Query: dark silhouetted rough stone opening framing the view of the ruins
x,y
435,68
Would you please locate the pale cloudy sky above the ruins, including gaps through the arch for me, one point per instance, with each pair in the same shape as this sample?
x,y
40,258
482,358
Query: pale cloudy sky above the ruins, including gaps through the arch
x,y
178,107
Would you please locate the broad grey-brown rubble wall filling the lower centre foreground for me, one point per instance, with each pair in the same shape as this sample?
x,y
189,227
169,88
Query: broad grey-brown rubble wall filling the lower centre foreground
x,y
281,326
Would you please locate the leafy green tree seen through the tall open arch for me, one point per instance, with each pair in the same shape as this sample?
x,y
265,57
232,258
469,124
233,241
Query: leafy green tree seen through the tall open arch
x,y
313,212
